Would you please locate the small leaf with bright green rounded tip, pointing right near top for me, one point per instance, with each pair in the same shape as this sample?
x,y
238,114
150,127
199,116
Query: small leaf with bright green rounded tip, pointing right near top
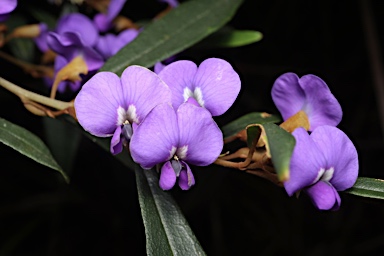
x,y
229,37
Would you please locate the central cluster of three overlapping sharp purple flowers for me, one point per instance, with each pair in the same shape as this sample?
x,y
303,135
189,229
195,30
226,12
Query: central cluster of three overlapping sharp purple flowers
x,y
165,118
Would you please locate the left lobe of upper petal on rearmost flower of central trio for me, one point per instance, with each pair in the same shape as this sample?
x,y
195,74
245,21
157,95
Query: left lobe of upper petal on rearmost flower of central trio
x,y
179,77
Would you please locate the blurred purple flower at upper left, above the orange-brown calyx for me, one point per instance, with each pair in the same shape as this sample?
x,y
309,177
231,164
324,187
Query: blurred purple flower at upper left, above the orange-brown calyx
x,y
71,40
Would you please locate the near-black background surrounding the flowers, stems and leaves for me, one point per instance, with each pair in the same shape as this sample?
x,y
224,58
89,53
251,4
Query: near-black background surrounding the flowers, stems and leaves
x,y
231,213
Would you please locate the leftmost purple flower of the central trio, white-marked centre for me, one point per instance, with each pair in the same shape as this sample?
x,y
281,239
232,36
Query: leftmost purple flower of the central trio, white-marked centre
x,y
109,106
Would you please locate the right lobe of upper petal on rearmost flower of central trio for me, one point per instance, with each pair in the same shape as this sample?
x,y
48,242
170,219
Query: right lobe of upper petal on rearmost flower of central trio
x,y
219,84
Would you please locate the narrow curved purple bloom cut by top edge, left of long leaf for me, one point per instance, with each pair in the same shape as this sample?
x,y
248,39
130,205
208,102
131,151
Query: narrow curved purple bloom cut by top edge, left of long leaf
x,y
103,21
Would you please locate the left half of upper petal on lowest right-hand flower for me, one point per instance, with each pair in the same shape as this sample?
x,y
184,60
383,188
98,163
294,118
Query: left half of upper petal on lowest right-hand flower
x,y
306,163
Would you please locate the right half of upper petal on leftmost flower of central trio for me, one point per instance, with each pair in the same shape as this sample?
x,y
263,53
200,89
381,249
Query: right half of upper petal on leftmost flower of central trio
x,y
144,90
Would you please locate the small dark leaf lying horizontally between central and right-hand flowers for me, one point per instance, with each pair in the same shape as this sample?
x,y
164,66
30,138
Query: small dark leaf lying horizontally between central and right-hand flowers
x,y
239,124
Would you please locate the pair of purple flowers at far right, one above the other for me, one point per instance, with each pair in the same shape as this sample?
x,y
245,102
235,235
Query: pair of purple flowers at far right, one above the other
x,y
326,160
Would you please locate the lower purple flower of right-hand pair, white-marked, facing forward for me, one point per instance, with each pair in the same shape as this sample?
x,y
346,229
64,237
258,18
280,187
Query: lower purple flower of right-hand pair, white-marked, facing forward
x,y
322,164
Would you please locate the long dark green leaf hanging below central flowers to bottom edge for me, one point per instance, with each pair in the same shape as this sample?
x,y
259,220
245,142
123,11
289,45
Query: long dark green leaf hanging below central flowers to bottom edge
x,y
166,230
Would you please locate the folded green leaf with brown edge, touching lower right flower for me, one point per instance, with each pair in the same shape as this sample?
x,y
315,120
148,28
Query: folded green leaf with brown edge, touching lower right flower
x,y
280,144
